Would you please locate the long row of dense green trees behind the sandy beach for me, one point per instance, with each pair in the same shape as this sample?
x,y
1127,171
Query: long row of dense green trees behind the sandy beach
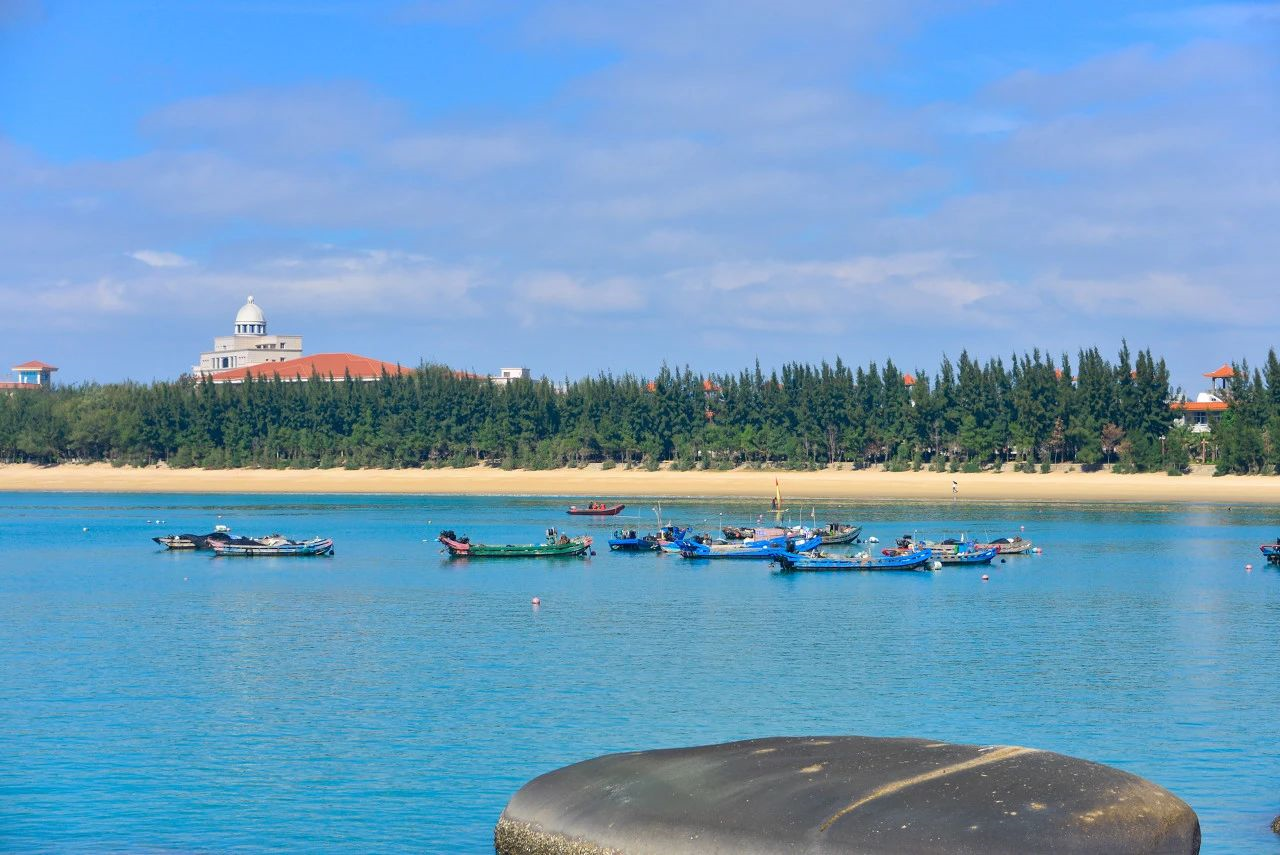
x,y
968,415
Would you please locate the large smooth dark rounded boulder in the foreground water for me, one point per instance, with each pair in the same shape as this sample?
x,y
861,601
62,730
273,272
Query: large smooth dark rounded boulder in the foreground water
x,y
843,794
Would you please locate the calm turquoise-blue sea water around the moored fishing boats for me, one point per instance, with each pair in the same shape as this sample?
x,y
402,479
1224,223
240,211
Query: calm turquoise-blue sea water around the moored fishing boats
x,y
388,698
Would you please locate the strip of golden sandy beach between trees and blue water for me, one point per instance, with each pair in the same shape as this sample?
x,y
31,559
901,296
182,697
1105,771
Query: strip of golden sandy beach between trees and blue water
x,y
593,482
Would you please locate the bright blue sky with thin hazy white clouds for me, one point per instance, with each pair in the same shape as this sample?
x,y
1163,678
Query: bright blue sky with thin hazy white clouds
x,y
582,186
